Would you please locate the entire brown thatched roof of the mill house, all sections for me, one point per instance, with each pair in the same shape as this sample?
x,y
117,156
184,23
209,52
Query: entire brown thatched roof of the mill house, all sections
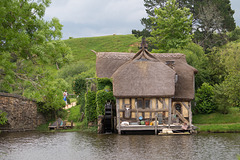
x,y
147,75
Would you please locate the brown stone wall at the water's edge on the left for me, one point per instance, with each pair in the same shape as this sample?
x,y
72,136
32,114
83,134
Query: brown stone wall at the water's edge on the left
x,y
21,113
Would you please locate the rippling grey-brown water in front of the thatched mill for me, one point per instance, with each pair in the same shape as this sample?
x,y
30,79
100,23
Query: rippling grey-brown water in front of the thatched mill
x,y
85,146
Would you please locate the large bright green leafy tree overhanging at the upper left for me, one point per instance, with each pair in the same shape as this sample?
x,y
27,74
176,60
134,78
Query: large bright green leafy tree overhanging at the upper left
x,y
28,44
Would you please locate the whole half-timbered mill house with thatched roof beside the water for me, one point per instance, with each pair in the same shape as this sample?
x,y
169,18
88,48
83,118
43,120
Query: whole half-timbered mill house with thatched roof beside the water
x,y
158,88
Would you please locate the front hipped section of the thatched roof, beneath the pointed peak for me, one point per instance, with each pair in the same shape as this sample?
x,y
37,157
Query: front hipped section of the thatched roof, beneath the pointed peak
x,y
144,76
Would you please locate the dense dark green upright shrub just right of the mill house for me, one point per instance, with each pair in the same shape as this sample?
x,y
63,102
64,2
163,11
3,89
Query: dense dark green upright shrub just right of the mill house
x,y
204,99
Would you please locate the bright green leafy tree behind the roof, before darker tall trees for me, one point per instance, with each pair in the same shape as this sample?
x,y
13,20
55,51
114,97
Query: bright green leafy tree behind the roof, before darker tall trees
x,y
171,27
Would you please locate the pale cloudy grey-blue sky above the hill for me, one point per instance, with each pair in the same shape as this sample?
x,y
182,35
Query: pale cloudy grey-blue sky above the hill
x,y
92,18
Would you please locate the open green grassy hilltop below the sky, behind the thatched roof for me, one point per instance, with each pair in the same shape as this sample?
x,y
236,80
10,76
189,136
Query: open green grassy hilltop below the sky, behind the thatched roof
x,y
81,47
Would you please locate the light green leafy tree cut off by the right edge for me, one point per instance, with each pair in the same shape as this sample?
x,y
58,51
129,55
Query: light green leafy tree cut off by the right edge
x,y
227,93
